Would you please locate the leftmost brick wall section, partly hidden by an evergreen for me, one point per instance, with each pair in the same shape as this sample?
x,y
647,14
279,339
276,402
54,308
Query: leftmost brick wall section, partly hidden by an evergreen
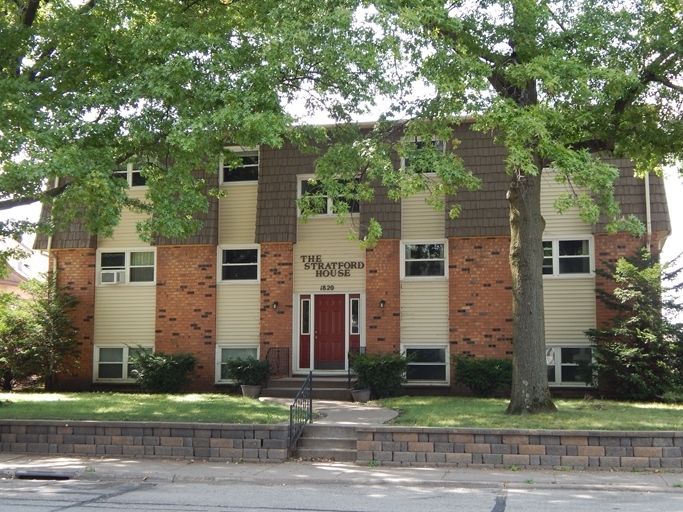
x,y
76,270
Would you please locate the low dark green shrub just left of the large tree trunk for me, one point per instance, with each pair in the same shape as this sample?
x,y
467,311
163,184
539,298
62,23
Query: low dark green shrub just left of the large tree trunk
x,y
483,376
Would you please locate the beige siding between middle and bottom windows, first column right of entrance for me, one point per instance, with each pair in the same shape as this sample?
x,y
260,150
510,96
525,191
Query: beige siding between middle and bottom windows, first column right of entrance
x,y
424,312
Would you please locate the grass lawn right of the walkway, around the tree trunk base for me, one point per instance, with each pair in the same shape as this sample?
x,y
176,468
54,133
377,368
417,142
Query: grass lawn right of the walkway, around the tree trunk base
x,y
571,415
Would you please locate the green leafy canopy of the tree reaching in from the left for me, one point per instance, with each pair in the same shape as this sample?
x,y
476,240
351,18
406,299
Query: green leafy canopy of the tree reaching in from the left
x,y
87,88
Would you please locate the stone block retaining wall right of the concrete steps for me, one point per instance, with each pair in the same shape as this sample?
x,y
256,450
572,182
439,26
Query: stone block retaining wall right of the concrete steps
x,y
541,449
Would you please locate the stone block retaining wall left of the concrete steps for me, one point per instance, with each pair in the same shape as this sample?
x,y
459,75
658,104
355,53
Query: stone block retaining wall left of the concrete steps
x,y
248,443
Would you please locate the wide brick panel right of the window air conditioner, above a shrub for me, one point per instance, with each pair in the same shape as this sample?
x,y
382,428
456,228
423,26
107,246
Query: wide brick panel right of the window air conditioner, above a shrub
x,y
186,306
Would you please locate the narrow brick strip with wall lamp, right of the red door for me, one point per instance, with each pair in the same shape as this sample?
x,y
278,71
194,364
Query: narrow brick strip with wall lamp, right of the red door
x,y
382,283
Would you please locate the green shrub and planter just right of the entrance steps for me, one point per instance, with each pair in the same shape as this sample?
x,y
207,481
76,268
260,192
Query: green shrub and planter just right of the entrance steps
x,y
384,374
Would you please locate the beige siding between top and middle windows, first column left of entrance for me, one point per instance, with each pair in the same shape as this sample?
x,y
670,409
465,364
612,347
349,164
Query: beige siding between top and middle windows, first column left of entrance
x,y
237,214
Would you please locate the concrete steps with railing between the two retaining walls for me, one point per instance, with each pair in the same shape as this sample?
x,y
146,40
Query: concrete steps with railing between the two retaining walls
x,y
327,442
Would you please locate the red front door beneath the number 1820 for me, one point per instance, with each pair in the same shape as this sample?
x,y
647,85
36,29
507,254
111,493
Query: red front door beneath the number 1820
x,y
330,334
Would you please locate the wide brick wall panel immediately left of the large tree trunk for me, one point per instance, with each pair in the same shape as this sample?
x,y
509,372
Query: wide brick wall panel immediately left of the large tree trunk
x,y
480,297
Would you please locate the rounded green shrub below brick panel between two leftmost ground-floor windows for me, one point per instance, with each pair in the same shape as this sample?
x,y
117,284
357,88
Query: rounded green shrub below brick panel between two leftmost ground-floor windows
x,y
157,372
